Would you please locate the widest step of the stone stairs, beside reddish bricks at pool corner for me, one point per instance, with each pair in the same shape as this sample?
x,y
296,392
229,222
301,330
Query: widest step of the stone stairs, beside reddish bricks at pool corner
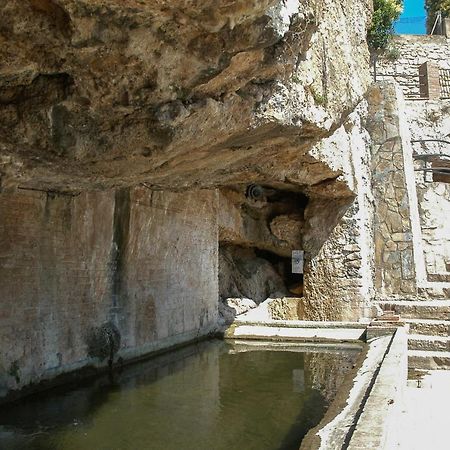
x,y
435,309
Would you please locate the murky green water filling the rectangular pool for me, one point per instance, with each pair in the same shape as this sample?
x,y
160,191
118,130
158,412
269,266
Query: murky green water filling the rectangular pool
x,y
214,395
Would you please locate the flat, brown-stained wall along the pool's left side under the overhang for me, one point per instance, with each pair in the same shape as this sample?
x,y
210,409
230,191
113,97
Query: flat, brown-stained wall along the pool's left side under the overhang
x,y
143,262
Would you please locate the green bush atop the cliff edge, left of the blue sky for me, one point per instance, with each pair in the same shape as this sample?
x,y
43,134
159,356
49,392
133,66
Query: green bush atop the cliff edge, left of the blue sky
x,y
385,13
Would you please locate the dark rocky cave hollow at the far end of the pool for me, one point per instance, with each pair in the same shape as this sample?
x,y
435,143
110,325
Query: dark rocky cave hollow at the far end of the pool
x,y
260,230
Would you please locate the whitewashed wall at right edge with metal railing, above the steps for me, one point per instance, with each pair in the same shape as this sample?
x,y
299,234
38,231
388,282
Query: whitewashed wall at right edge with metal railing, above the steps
x,y
431,120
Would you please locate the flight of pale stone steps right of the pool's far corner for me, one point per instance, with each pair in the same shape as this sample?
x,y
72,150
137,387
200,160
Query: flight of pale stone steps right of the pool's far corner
x,y
429,331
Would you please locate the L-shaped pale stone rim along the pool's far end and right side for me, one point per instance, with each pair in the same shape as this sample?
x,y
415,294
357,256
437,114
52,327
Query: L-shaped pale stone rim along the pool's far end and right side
x,y
363,412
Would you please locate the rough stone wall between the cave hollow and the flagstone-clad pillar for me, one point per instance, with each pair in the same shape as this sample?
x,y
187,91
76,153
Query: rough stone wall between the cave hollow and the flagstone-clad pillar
x,y
338,280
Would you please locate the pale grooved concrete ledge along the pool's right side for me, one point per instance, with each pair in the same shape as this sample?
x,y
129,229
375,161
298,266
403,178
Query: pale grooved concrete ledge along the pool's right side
x,y
365,418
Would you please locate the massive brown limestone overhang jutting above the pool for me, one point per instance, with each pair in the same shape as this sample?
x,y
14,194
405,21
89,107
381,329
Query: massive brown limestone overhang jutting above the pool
x,y
175,93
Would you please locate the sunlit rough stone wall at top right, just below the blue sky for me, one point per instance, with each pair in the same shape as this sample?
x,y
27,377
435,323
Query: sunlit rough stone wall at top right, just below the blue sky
x,y
401,63
